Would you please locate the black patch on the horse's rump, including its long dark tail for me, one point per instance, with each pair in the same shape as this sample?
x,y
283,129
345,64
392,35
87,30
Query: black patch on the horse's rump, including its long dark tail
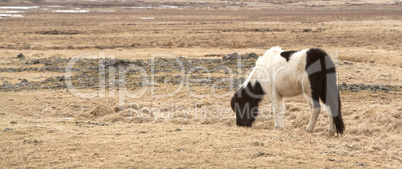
x,y
321,73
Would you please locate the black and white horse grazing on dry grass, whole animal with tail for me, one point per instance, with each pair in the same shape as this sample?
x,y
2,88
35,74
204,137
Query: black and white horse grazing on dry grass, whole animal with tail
x,y
280,74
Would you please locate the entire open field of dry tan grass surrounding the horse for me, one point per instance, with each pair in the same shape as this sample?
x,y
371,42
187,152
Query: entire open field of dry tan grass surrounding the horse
x,y
179,116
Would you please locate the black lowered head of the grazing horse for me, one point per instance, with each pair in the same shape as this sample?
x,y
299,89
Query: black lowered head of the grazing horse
x,y
245,103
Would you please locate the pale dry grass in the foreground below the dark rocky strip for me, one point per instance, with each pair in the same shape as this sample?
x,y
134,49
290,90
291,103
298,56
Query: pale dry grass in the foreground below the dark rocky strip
x,y
43,133
